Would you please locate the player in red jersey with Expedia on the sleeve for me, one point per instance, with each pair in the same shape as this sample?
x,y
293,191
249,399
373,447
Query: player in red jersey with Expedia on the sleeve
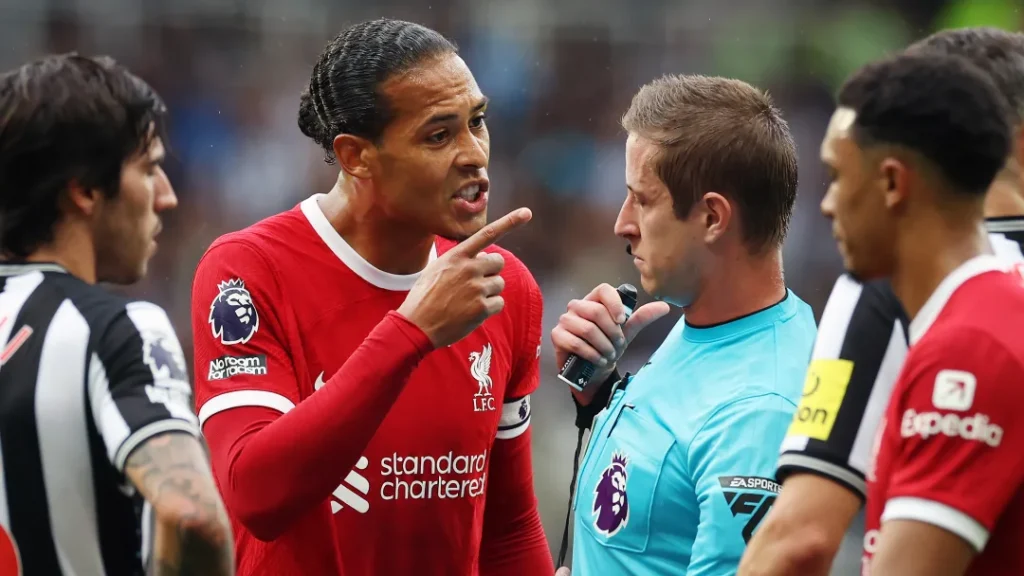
x,y
913,149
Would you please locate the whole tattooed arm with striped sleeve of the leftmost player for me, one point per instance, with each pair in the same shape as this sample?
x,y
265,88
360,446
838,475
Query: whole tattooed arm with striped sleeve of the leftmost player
x,y
142,404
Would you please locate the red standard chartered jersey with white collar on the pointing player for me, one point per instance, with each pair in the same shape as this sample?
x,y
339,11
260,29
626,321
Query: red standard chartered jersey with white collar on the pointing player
x,y
278,309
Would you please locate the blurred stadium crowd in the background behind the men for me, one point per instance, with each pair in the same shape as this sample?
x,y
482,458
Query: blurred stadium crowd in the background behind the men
x,y
560,76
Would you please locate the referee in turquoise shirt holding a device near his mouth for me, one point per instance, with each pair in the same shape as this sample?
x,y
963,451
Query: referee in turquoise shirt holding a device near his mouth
x,y
676,476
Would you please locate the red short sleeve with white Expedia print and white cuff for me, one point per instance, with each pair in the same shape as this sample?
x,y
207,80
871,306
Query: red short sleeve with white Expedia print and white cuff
x,y
960,455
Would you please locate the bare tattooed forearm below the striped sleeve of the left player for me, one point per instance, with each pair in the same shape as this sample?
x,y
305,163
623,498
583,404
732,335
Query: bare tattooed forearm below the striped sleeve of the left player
x,y
193,534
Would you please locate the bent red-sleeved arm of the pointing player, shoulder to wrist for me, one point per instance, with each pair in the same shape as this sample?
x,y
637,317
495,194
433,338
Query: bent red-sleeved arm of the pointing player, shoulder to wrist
x,y
275,458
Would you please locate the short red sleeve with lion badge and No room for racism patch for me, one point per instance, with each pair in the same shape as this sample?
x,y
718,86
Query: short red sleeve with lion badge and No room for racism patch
x,y
238,328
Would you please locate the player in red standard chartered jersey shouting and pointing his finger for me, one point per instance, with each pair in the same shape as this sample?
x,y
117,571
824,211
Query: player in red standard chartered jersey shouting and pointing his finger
x,y
363,382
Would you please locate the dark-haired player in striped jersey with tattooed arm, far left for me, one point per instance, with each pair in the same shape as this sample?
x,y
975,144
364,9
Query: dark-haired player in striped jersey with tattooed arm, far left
x,y
98,437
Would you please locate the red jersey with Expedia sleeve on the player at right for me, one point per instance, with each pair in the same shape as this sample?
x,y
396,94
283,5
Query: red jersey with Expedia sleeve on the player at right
x,y
951,449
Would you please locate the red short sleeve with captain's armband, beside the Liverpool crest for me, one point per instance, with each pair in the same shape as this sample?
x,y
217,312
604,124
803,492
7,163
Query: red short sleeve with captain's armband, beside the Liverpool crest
x,y
526,306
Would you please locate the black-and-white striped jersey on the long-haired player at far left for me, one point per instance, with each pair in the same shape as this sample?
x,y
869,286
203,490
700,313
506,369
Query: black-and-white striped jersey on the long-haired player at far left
x,y
86,378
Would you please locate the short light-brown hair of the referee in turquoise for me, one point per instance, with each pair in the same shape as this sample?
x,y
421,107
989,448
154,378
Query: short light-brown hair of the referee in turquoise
x,y
721,135
